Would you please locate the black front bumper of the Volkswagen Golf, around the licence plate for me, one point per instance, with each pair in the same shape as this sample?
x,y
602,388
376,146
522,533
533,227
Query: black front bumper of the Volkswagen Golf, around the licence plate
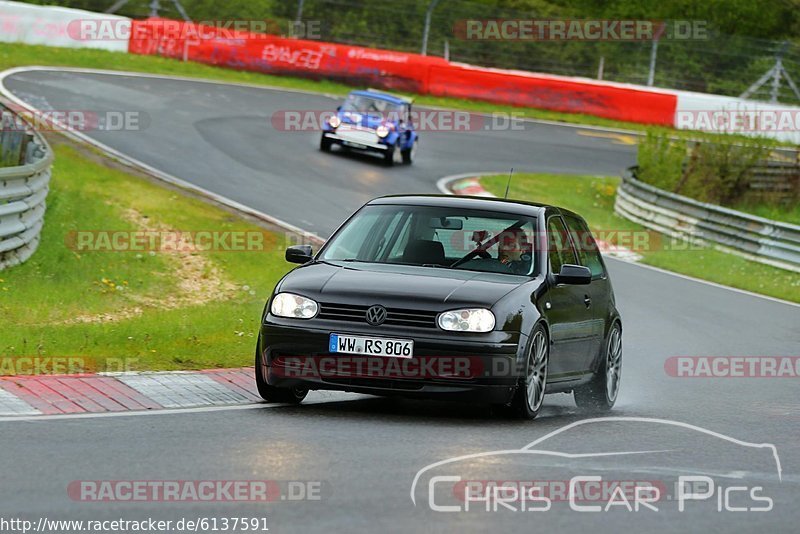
x,y
444,365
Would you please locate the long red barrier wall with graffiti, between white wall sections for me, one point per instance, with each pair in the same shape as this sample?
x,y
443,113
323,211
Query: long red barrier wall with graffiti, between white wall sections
x,y
400,71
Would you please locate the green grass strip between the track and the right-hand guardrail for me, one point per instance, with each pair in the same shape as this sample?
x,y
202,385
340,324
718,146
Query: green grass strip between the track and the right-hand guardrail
x,y
593,197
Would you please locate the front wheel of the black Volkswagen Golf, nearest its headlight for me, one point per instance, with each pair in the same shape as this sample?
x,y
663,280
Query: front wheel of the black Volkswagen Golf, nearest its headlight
x,y
529,397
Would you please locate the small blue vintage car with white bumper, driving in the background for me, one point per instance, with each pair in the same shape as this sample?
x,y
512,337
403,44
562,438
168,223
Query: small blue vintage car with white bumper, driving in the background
x,y
373,121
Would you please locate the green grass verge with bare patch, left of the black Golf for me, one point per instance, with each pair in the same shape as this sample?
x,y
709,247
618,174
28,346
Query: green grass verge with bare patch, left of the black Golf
x,y
153,310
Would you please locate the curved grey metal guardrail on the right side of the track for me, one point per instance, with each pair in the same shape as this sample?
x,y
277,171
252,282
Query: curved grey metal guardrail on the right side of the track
x,y
763,240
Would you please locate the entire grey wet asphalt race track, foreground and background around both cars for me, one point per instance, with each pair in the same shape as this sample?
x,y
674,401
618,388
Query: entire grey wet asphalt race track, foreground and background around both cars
x,y
366,451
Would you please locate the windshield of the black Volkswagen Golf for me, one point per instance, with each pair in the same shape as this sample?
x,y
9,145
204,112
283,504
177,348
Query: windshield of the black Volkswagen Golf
x,y
437,237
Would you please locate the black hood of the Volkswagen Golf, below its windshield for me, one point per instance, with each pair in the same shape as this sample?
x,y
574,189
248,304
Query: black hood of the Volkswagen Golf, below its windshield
x,y
400,286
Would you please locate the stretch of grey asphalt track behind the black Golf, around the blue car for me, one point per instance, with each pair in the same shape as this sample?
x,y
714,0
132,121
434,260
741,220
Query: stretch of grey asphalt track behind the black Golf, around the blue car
x,y
221,137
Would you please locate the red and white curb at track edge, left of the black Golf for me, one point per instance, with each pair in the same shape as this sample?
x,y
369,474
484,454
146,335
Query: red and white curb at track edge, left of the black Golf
x,y
121,392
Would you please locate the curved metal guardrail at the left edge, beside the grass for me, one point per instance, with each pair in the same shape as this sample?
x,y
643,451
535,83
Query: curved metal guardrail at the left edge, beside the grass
x,y
23,190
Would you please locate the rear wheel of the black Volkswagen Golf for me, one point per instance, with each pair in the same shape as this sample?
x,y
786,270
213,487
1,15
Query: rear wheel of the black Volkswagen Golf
x,y
600,394
